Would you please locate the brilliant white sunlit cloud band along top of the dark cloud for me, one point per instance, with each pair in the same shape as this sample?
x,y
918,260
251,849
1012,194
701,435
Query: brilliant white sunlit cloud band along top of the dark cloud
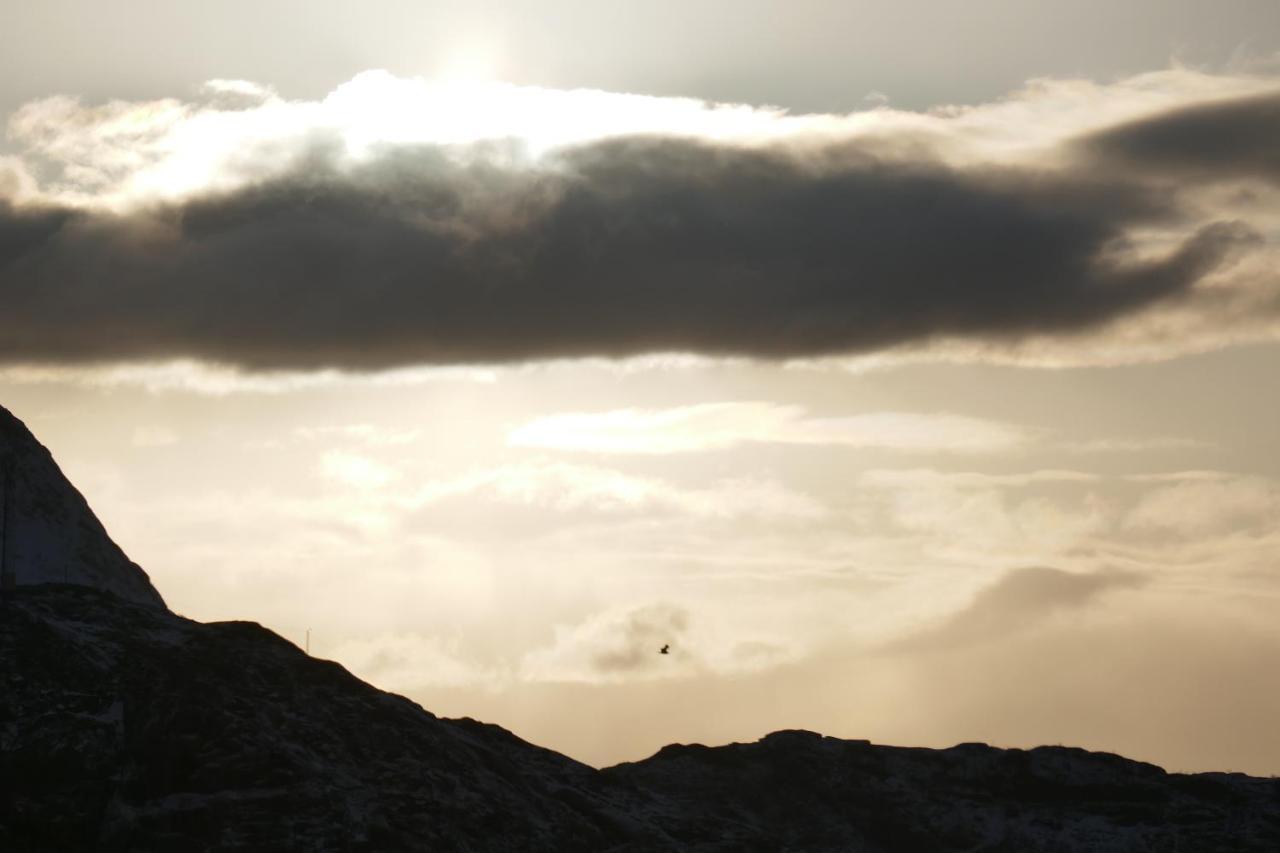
x,y
124,153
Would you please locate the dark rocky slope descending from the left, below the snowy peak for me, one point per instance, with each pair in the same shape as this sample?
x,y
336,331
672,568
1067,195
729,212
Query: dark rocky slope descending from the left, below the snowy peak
x,y
126,728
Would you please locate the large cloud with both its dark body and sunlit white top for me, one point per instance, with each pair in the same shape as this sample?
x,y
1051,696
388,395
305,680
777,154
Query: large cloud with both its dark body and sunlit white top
x,y
350,235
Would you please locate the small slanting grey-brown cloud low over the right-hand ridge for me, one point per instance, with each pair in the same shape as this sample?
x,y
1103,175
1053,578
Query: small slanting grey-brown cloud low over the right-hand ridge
x,y
1021,600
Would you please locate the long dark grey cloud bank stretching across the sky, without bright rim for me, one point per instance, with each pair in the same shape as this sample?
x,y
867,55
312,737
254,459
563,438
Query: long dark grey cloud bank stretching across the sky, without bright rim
x,y
627,247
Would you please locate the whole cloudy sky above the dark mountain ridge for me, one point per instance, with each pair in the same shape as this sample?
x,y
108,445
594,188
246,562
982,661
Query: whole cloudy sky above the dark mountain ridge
x,y
908,368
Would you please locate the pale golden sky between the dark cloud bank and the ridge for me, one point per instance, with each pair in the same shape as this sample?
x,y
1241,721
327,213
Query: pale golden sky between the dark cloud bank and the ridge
x,y
435,555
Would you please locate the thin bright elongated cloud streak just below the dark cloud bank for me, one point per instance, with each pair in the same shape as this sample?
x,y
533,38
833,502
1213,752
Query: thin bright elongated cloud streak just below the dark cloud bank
x,y
707,427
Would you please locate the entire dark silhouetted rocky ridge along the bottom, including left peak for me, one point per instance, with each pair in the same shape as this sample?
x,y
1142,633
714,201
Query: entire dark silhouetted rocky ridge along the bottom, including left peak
x,y
125,727
